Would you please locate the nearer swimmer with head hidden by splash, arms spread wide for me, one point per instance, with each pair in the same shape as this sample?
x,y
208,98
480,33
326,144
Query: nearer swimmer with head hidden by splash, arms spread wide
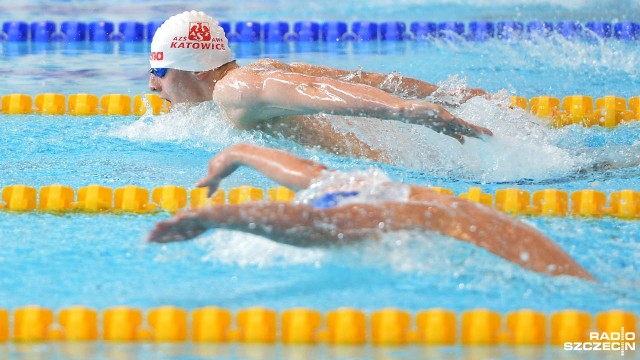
x,y
335,208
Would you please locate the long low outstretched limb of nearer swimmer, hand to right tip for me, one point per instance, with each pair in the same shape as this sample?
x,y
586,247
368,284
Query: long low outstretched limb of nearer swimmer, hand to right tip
x,y
301,225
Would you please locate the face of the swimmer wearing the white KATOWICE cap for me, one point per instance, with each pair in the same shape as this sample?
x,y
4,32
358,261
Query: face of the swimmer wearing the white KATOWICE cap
x,y
176,86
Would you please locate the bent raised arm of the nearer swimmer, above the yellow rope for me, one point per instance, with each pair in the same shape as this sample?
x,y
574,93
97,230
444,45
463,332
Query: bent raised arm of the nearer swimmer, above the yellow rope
x,y
284,168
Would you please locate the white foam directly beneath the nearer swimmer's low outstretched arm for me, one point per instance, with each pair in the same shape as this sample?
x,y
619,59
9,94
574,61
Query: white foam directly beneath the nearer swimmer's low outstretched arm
x,y
412,252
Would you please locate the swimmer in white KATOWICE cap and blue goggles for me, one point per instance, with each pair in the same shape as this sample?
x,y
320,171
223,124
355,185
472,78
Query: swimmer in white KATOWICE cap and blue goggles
x,y
191,63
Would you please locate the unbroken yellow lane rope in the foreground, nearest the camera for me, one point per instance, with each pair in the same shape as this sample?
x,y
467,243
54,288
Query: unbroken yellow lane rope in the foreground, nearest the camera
x,y
342,326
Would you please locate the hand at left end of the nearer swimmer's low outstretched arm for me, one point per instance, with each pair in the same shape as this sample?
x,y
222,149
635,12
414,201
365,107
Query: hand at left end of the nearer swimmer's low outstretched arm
x,y
183,226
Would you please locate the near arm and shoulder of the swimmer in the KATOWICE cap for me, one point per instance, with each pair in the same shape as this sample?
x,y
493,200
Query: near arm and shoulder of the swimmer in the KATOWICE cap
x,y
276,94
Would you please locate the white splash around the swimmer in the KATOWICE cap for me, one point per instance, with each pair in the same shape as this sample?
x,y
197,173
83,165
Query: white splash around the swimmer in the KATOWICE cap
x,y
523,146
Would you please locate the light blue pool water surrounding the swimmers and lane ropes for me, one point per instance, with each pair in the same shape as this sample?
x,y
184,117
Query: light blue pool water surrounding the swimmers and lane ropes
x,y
101,261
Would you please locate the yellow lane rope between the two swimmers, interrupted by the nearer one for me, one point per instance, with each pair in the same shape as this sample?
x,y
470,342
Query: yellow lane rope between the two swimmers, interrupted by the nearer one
x,y
623,204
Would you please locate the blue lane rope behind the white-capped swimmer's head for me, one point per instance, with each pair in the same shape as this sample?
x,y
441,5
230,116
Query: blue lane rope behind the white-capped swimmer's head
x,y
330,31
